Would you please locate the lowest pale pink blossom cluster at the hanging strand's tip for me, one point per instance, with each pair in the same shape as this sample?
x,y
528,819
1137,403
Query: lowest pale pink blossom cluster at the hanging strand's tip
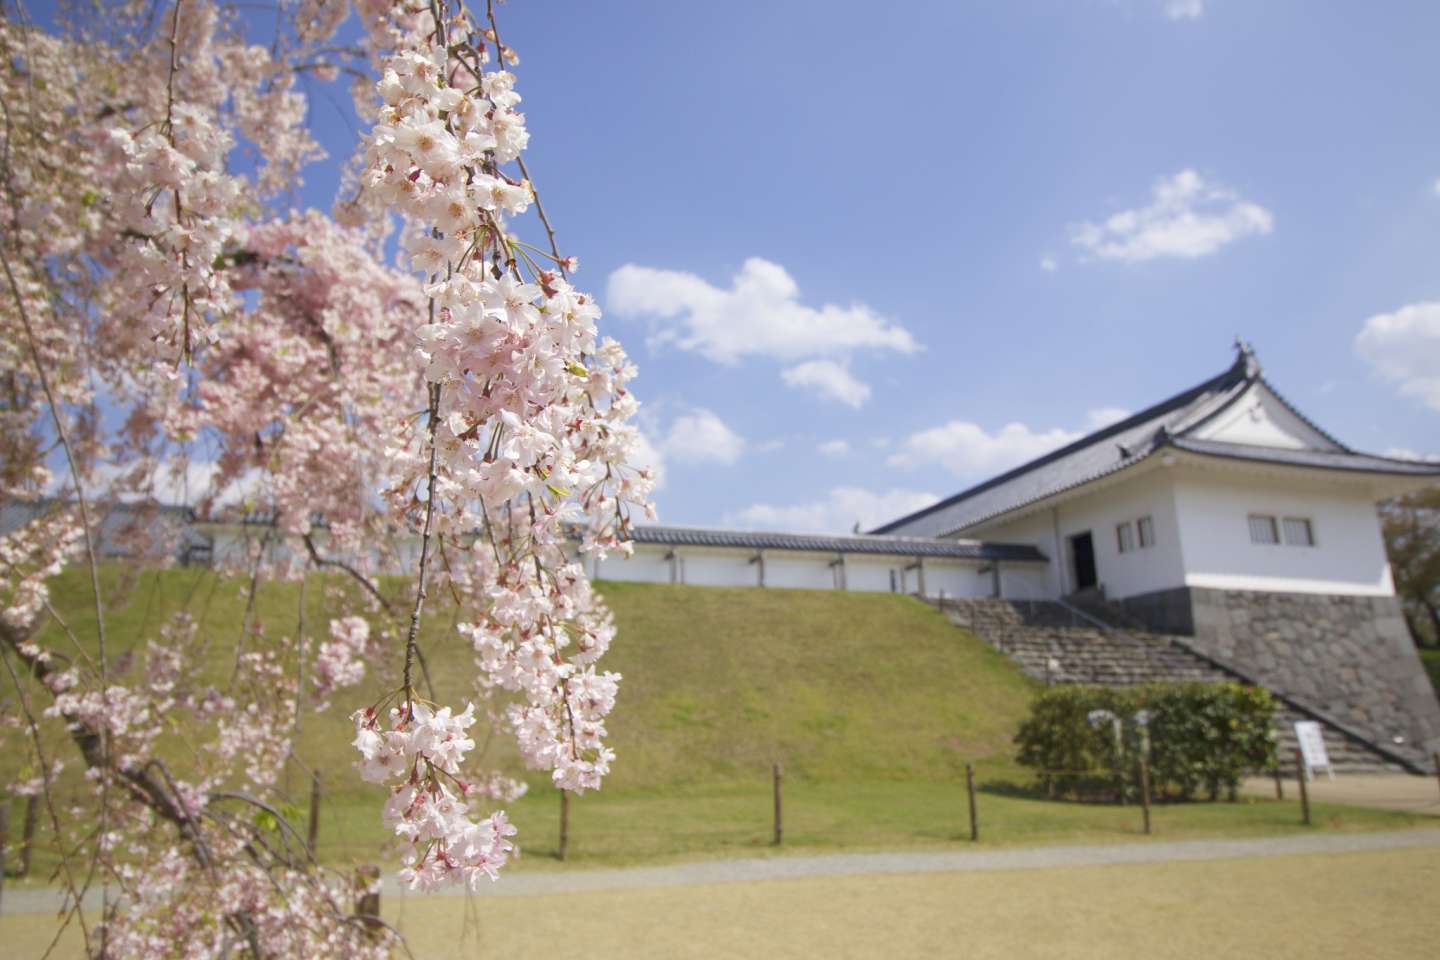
x,y
423,751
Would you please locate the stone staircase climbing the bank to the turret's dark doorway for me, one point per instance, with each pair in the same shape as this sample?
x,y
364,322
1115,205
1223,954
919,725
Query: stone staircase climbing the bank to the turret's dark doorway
x,y
1058,644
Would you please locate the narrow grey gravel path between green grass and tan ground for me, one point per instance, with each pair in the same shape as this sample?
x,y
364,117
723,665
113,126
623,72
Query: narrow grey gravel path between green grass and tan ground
x,y
745,871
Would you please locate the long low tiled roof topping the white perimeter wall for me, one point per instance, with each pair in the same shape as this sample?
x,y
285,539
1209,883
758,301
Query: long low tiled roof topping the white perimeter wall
x,y
820,543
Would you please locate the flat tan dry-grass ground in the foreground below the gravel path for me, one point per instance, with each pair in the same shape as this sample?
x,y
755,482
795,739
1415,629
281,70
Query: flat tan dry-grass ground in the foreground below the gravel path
x,y
1379,906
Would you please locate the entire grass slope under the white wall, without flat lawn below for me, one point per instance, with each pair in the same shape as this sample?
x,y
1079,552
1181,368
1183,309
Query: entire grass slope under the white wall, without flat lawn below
x,y
718,683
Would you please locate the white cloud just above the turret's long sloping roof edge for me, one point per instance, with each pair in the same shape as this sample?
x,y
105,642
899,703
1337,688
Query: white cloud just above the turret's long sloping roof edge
x,y
968,451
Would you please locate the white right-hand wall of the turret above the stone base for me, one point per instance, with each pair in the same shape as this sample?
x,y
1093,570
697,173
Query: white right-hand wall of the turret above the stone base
x,y
1349,555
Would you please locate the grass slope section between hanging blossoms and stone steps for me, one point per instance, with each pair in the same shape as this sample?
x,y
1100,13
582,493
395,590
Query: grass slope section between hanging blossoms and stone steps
x,y
721,683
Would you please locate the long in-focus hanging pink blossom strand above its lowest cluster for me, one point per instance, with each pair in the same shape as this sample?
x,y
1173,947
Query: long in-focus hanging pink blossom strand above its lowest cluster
x,y
528,433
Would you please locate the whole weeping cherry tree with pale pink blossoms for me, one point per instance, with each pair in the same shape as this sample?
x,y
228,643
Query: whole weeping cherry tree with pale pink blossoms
x,y
402,368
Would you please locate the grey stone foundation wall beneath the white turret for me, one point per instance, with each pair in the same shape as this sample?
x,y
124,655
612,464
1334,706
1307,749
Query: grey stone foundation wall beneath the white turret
x,y
1347,656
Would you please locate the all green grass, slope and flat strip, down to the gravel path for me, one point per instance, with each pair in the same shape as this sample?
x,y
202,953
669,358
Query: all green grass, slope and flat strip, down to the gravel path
x,y
873,703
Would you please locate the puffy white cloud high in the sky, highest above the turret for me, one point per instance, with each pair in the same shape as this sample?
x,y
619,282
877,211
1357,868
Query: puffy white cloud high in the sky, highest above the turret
x,y
1187,218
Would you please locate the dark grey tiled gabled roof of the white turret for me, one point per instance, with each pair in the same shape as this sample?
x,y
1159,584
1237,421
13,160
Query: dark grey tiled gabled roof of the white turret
x,y
1131,441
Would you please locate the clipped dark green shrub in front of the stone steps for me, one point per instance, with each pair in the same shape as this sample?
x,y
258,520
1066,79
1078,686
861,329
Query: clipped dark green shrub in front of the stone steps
x,y
1200,738
